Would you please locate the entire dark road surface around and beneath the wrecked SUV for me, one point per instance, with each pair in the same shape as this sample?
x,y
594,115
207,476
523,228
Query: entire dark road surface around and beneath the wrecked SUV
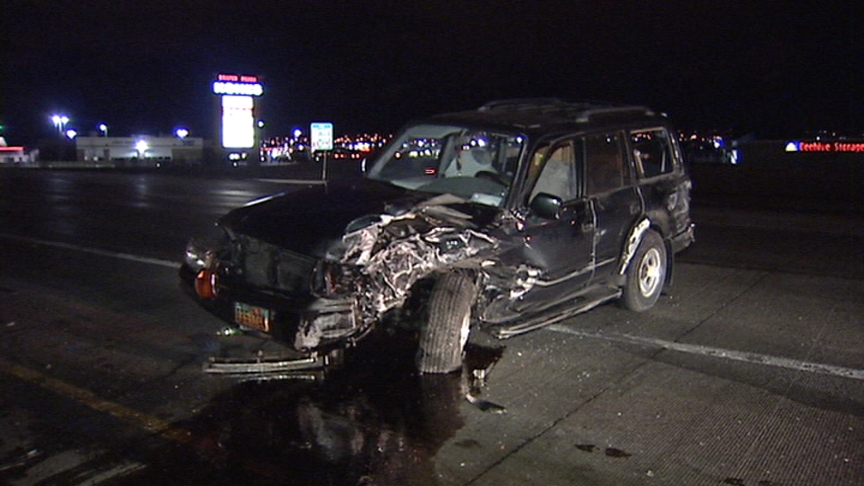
x,y
750,371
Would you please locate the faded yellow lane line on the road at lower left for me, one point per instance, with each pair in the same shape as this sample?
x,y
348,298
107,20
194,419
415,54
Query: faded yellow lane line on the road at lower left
x,y
86,397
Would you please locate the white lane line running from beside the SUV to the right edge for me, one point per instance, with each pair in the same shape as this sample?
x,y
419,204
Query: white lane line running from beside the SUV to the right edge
x,y
755,358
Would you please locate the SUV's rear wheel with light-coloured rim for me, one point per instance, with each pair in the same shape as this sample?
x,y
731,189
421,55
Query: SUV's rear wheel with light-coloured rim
x,y
645,274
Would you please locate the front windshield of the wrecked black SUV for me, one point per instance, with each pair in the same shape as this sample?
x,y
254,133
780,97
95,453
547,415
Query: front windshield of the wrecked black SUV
x,y
476,165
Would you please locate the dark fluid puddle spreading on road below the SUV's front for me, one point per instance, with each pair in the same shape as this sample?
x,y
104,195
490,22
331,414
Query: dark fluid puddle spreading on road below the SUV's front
x,y
374,421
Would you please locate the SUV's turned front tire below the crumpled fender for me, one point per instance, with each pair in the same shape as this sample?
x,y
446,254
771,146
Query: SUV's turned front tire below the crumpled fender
x,y
448,323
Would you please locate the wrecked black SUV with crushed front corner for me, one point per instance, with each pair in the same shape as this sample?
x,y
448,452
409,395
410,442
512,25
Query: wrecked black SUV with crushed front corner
x,y
503,219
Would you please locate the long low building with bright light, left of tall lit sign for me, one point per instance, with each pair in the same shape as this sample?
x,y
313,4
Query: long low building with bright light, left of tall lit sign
x,y
140,149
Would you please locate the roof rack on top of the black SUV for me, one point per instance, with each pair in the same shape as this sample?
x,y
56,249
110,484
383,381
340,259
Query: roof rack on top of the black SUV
x,y
577,112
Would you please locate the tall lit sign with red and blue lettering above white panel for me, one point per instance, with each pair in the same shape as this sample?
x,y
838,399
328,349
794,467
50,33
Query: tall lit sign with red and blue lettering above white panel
x,y
238,106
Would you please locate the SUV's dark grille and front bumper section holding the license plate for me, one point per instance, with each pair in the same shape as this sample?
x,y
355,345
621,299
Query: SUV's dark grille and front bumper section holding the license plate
x,y
259,287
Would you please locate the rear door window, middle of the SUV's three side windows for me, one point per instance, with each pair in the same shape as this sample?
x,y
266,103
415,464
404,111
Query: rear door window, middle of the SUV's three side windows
x,y
604,163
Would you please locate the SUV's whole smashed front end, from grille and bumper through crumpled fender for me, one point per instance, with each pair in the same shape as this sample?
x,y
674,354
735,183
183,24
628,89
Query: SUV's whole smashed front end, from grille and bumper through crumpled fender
x,y
333,300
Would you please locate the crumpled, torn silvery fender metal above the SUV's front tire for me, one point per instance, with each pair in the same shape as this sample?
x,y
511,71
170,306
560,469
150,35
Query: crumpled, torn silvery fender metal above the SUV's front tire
x,y
384,257
